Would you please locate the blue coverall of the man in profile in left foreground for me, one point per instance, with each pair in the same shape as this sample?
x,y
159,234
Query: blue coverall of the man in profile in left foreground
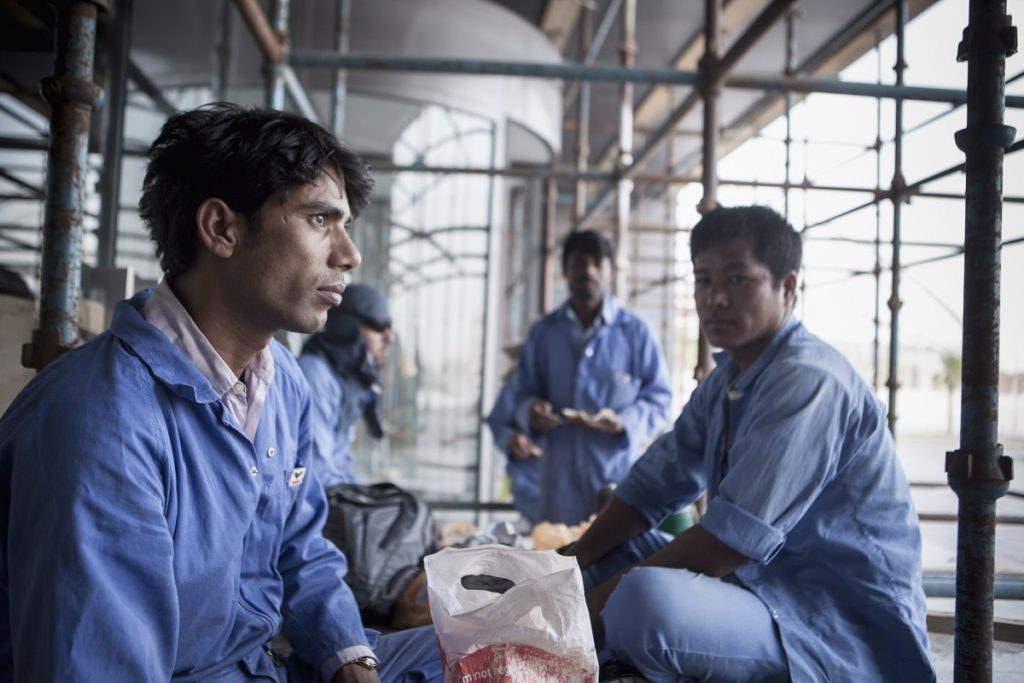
x,y
144,537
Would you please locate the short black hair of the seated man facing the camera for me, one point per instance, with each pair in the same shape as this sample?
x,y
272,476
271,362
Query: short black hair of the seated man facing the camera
x,y
773,240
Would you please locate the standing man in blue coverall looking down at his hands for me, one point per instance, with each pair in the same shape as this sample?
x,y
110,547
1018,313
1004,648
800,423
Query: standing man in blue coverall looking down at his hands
x,y
593,382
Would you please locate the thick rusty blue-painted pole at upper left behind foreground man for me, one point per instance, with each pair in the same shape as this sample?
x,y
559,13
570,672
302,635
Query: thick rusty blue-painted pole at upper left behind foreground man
x,y
72,96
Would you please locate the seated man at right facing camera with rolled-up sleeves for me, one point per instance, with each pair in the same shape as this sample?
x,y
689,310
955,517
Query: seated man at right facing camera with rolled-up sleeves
x,y
807,565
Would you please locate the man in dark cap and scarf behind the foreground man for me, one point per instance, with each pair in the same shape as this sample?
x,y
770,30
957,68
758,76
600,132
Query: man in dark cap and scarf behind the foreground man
x,y
344,366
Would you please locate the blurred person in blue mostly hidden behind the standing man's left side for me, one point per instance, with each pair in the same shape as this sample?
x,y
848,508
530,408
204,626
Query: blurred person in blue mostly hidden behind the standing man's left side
x,y
524,454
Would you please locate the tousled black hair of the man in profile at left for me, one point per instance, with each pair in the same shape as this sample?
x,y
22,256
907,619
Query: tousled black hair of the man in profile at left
x,y
243,157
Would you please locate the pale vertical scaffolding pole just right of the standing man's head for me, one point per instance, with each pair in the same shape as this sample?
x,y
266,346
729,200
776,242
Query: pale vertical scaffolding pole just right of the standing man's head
x,y
624,186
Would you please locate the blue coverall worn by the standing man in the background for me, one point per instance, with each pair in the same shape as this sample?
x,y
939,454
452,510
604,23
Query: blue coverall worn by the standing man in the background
x,y
619,367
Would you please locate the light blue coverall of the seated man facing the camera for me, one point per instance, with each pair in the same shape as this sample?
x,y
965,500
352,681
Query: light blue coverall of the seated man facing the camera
x,y
813,493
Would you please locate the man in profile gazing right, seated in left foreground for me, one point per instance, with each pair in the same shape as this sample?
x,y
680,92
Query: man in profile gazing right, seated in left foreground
x,y
157,519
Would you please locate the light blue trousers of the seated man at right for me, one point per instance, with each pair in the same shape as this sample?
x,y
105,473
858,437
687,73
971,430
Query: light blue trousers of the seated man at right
x,y
676,625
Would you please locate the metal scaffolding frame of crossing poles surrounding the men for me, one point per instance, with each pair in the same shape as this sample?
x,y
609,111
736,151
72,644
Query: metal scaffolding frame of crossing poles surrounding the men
x,y
978,472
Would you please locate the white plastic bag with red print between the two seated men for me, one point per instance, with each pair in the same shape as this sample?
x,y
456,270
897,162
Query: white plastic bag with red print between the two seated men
x,y
537,631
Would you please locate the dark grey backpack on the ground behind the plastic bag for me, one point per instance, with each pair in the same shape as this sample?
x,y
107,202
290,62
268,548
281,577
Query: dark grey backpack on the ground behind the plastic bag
x,y
385,532
